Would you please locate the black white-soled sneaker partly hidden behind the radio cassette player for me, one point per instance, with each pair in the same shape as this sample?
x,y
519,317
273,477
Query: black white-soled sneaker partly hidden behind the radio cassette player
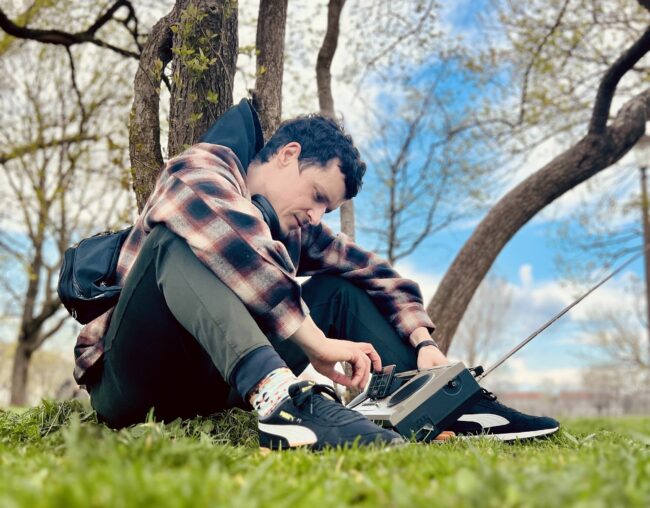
x,y
492,419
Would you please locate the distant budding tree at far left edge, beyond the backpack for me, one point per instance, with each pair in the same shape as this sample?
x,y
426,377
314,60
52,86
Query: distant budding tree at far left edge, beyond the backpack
x,y
60,182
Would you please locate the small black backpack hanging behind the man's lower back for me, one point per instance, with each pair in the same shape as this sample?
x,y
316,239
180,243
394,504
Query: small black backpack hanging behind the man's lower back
x,y
88,274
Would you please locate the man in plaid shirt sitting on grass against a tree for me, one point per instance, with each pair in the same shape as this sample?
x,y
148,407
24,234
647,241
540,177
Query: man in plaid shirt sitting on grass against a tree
x,y
211,314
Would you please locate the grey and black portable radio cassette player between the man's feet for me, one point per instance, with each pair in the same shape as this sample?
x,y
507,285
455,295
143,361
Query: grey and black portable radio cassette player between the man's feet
x,y
418,403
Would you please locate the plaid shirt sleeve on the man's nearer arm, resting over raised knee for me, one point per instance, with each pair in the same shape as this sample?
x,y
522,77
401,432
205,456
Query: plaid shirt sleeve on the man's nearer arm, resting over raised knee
x,y
203,201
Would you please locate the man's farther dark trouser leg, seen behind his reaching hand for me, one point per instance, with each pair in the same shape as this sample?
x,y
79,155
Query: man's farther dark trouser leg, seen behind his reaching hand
x,y
342,310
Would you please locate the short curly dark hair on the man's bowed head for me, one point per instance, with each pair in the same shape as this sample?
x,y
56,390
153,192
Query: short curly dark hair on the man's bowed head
x,y
321,139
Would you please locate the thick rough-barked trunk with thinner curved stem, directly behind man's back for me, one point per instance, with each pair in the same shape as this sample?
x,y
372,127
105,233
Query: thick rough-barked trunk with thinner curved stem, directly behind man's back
x,y
200,38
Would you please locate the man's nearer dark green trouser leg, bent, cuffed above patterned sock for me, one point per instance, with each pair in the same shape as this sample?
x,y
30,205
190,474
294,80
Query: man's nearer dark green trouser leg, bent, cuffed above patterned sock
x,y
176,338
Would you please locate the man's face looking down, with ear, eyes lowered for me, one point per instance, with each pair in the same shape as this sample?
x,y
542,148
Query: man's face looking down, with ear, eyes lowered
x,y
302,197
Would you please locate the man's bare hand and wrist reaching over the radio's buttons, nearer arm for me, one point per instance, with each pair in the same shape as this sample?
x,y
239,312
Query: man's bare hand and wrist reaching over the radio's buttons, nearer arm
x,y
324,353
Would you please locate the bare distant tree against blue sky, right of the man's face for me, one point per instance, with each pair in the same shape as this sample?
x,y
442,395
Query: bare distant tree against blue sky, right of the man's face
x,y
427,174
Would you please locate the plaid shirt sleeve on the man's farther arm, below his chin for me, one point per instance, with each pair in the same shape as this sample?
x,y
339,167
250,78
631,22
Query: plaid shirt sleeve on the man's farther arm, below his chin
x,y
397,298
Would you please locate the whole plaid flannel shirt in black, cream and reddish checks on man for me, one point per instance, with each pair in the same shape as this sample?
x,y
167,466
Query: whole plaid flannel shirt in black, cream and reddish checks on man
x,y
202,196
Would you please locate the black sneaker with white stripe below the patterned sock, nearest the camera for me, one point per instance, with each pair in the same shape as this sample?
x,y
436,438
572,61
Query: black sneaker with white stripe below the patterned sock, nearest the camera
x,y
313,416
